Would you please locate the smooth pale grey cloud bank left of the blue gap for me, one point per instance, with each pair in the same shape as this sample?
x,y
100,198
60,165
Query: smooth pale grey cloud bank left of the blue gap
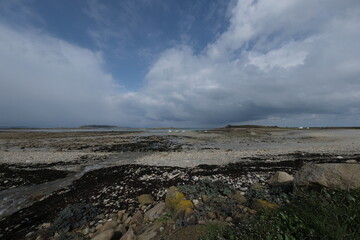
x,y
48,82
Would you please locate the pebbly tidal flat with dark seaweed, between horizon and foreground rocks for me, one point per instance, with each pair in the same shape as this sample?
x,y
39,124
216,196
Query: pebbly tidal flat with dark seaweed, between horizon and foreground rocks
x,y
43,172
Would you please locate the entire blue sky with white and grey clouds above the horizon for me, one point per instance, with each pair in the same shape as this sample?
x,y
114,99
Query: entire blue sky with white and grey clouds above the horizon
x,y
179,63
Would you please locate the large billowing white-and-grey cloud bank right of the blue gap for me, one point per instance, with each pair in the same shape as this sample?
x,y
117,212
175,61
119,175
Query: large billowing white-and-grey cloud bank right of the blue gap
x,y
277,60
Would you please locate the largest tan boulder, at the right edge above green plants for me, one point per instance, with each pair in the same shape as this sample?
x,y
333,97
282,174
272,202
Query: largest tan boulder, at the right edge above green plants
x,y
332,175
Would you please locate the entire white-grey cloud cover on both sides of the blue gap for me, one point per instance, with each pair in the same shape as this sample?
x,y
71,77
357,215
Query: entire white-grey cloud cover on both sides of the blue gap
x,y
279,61
